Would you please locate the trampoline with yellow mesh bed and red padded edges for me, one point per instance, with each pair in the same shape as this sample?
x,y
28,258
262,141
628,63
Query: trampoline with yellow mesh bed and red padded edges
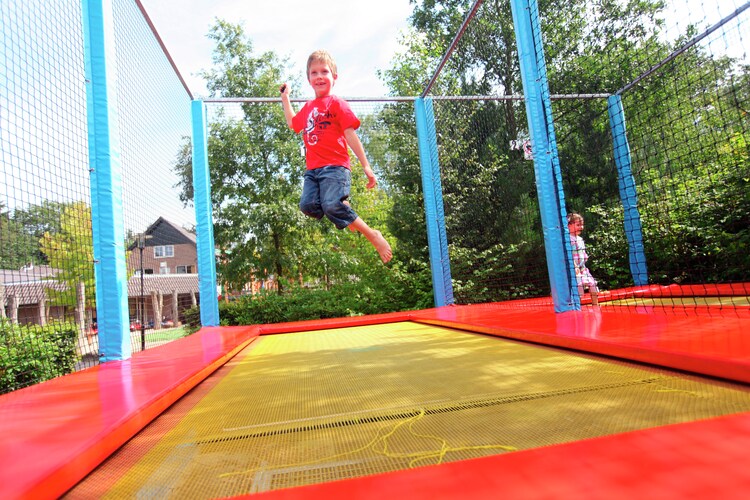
x,y
470,401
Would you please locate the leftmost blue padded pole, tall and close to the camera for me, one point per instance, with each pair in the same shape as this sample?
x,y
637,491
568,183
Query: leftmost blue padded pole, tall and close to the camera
x,y
107,224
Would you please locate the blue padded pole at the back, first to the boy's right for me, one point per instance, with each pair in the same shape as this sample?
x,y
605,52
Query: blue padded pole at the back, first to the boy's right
x,y
442,286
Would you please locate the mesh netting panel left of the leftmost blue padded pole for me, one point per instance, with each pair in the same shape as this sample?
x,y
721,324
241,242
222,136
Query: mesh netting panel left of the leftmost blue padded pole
x,y
45,221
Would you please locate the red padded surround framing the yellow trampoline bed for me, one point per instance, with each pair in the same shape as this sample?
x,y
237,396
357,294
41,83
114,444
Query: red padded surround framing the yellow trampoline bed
x,y
52,435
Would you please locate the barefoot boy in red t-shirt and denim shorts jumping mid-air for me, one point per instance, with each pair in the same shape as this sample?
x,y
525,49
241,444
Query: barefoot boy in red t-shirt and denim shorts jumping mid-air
x,y
329,130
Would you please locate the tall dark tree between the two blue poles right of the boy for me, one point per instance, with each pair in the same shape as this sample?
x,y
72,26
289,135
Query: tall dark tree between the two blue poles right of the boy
x,y
483,183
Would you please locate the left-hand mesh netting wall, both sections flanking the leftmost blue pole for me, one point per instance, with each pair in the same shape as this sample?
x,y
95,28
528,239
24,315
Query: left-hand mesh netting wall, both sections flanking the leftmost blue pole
x,y
49,319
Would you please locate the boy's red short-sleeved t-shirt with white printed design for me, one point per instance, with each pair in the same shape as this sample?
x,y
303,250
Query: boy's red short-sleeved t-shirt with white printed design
x,y
322,122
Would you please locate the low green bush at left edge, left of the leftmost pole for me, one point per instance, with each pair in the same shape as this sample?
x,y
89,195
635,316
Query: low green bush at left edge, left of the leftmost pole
x,y
30,354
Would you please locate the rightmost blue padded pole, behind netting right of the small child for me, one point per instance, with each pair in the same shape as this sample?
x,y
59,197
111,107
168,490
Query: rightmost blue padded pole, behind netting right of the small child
x,y
628,192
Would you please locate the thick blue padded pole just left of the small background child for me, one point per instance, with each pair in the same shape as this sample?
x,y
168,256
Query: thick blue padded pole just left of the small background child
x,y
546,169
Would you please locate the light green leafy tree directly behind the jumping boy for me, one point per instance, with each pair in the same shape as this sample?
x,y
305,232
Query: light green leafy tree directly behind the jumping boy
x,y
256,178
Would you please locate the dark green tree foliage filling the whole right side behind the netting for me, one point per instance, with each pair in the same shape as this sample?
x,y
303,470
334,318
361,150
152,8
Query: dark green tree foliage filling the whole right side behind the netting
x,y
685,124
